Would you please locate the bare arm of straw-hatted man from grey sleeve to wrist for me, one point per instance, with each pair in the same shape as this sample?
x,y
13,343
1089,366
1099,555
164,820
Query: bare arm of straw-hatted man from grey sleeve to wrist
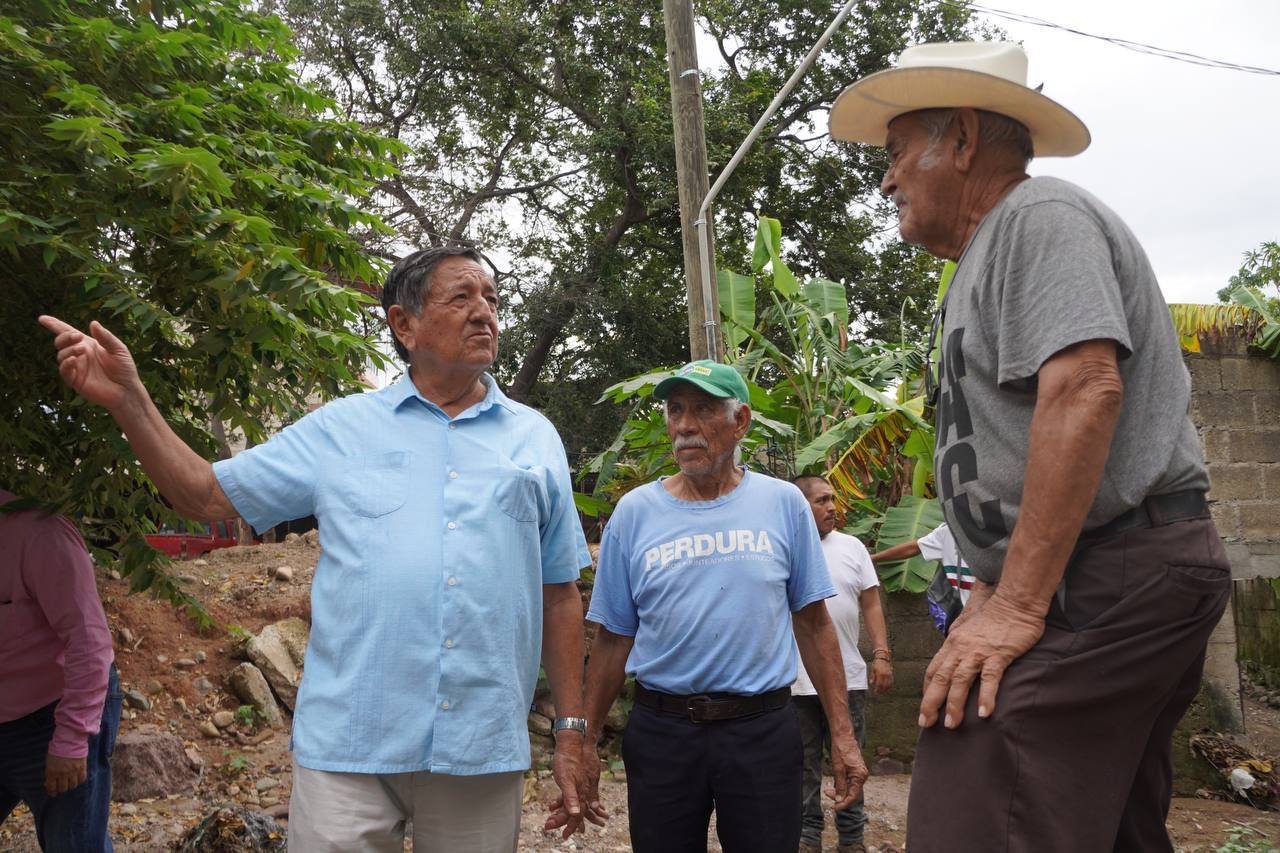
x,y
1071,440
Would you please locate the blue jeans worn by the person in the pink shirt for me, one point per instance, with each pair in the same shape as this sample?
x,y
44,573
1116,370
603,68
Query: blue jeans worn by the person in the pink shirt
x,y
71,823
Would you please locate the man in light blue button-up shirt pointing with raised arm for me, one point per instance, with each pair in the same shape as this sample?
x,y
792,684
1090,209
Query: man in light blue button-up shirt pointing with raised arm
x,y
451,549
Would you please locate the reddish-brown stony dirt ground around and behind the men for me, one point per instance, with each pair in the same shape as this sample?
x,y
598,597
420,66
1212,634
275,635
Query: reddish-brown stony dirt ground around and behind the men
x,y
157,645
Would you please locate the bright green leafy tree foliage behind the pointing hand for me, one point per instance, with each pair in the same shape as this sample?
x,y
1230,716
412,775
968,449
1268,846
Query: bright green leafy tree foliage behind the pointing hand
x,y
166,174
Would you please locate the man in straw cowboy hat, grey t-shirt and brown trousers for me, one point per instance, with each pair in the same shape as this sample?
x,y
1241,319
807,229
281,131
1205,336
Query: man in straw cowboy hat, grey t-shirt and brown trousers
x,y
1068,468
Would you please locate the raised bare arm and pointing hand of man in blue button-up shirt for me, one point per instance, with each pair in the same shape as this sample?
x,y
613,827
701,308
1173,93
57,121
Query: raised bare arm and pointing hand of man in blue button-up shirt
x,y
99,368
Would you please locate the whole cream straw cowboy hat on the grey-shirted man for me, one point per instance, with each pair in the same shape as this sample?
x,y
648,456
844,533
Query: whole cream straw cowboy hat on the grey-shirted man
x,y
984,75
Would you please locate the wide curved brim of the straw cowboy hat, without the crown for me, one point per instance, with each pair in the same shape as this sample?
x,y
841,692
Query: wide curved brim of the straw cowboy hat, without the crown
x,y
865,110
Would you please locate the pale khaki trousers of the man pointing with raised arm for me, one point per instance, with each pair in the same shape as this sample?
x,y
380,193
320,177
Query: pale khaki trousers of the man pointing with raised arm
x,y
333,813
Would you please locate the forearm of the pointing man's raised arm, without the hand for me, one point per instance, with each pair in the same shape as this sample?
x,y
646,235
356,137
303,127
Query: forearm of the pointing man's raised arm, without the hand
x,y
184,477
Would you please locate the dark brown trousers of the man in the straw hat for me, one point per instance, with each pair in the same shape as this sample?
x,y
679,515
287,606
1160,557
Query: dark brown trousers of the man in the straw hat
x,y
1077,758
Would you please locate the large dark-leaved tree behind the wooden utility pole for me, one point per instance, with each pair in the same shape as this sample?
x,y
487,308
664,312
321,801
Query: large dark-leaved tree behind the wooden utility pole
x,y
543,131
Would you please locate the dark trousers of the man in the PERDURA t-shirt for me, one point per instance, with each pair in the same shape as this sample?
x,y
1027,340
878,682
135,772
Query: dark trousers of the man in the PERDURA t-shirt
x,y
747,770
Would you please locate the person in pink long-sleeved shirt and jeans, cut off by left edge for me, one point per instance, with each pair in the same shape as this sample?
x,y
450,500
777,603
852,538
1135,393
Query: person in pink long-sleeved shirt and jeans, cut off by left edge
x,y
60,692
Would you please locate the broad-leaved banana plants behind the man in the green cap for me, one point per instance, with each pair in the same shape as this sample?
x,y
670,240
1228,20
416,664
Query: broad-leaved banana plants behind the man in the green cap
x,y
853,413
